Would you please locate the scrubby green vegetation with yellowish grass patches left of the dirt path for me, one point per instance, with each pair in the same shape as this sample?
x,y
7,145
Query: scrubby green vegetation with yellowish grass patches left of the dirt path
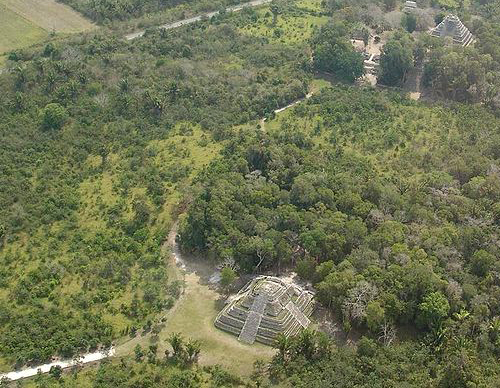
x,y
84,210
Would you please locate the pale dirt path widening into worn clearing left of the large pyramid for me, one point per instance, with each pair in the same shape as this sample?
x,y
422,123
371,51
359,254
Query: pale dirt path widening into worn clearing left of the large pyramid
x,y
192,315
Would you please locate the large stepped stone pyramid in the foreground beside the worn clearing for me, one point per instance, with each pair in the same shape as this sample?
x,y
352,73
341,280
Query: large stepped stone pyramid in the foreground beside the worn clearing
x,y
266,307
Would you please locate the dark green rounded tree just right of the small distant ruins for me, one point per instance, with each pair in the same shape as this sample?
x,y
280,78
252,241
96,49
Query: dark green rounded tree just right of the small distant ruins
x,y
396,60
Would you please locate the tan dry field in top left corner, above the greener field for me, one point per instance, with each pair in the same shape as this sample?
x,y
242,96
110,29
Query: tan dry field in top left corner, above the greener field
x,y
49,15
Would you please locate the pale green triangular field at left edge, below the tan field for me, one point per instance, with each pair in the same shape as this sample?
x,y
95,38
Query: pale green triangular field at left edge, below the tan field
x,y
16,31
